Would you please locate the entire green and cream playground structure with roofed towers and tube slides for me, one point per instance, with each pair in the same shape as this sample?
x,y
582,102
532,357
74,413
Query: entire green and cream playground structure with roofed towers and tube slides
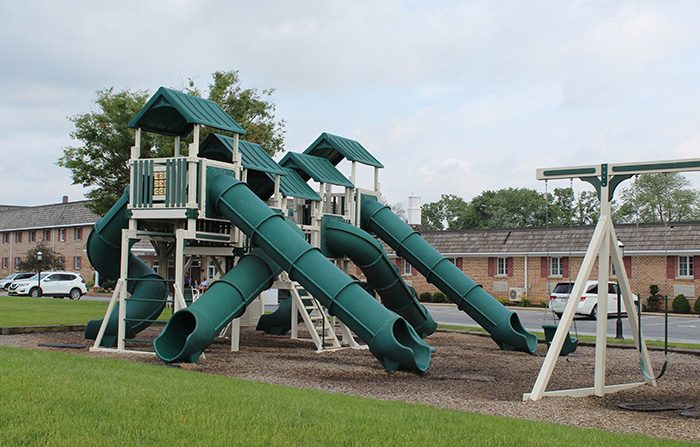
x,y
226,198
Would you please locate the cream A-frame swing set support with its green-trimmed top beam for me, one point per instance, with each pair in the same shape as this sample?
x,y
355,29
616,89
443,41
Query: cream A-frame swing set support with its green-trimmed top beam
x,y
603,246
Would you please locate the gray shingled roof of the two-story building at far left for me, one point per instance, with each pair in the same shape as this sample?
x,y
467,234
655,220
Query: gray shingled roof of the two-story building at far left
x,y
55,215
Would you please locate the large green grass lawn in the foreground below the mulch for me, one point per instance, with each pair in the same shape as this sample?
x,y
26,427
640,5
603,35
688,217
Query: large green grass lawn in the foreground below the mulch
x,y
56,398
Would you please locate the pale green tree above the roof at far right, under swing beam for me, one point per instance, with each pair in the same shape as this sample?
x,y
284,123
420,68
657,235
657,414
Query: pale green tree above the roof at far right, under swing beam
x,y
663,197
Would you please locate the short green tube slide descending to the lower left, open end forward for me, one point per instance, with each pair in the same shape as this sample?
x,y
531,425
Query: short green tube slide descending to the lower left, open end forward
x,y
191,330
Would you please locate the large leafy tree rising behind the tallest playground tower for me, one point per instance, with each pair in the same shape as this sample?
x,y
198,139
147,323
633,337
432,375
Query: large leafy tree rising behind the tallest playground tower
x,y
101,161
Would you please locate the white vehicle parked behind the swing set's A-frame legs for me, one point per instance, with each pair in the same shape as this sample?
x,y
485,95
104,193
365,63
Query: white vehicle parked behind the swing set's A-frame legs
x,y
588,302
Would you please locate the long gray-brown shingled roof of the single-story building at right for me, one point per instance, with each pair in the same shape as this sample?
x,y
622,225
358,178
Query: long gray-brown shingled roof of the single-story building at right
x,y
645,238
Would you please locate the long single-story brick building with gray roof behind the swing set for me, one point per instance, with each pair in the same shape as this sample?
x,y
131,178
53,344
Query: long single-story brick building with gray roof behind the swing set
x,y
534,260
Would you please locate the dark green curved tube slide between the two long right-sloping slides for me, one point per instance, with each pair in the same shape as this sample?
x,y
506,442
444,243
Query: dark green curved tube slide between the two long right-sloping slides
x,y
339,239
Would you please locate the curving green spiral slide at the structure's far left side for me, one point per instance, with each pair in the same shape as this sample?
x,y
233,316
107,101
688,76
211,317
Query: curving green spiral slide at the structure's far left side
x,y
148,289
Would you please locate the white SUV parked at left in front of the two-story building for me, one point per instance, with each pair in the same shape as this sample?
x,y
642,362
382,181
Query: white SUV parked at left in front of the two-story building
x,y
60,284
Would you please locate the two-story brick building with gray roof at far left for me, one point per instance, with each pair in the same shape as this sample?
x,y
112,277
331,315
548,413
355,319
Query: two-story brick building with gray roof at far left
x,y
64,226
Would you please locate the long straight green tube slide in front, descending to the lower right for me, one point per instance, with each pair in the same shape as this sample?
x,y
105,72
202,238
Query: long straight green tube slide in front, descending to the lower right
x,y
389,337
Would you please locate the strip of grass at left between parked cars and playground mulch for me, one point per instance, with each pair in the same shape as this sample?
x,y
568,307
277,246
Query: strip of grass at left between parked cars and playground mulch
x,y
24,311
